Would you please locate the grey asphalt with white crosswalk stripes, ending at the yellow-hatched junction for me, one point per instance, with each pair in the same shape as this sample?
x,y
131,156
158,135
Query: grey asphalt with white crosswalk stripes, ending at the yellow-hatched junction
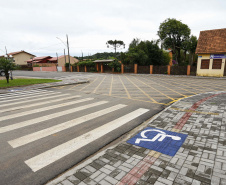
x,y
38,126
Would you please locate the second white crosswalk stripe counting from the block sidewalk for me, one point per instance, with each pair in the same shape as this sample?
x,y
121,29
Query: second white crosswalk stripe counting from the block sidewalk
x,y
60,127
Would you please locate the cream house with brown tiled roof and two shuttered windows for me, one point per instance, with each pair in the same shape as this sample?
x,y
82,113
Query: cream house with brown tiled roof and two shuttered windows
x,y
211,50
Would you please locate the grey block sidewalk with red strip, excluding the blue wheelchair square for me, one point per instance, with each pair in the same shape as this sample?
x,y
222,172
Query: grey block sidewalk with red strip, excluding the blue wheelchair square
x,y
200,160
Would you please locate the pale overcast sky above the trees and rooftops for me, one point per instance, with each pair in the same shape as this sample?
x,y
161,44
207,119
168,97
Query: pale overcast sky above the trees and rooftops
x,y
34,25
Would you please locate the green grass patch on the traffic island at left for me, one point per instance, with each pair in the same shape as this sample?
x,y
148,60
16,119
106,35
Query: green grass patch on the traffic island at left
x,y
24,82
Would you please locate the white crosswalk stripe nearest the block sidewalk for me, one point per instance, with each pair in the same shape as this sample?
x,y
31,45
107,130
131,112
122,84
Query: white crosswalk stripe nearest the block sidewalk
x,y
44,159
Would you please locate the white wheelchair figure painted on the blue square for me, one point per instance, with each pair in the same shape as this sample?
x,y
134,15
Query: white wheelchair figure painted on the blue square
x,y
160,136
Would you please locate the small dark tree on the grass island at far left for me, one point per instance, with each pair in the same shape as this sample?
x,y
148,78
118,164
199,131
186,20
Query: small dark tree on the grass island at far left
x,y
7,65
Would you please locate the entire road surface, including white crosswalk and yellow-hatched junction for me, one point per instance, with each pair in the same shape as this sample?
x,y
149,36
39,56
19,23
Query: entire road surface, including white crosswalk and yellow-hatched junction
x,y
43,133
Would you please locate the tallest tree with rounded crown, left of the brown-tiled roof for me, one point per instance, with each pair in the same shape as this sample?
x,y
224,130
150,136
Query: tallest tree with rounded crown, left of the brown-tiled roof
x,y
173,34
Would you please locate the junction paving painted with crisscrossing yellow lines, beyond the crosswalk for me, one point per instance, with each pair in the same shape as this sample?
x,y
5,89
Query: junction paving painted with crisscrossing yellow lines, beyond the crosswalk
x,y
148,88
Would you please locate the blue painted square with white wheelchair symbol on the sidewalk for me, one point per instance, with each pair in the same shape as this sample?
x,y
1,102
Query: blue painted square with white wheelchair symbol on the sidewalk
x,y
162,141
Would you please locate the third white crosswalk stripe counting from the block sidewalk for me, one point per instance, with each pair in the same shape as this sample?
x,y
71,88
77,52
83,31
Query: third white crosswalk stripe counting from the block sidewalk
x,y
48,117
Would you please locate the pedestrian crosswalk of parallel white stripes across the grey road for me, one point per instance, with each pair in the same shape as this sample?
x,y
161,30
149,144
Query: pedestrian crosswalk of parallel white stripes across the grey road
x,y
28,112
